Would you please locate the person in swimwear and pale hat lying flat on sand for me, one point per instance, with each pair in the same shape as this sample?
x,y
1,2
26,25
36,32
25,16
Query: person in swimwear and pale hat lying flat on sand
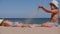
x,y
9,23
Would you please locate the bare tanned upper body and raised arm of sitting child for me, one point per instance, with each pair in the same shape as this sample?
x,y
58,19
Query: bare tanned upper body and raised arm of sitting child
x,y
54,13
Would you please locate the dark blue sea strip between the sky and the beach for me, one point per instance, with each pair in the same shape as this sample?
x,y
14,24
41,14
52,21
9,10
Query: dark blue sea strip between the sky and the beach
x,y
32,21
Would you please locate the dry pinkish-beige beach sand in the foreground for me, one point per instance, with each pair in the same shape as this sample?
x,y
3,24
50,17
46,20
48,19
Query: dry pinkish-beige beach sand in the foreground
x,y
34,30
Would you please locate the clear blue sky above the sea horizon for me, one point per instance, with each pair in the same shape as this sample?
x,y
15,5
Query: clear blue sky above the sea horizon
x,y
23,8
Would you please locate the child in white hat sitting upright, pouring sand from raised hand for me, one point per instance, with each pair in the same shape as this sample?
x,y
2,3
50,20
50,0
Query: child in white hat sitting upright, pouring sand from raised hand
x,y
54,14
